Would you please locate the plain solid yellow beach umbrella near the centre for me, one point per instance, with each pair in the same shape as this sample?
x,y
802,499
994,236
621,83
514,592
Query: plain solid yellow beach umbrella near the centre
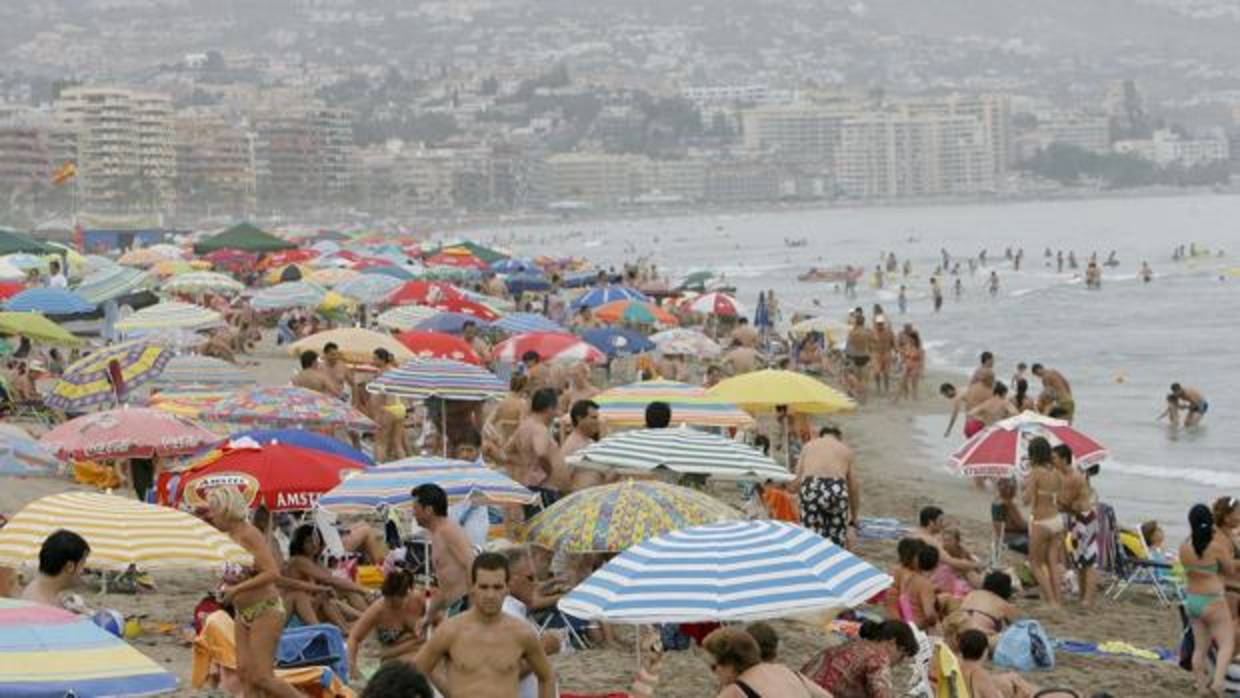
x,y
763,391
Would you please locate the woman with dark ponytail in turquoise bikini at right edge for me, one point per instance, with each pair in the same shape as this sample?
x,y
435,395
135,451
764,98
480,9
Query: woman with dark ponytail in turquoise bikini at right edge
x,y
1208,560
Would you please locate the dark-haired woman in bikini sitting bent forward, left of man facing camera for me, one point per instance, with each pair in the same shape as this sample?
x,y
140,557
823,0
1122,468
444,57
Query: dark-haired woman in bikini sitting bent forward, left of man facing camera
x,y
394,621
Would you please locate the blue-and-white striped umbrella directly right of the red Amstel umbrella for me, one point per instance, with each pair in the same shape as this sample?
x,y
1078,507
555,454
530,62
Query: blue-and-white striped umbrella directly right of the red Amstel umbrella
x,y
392,483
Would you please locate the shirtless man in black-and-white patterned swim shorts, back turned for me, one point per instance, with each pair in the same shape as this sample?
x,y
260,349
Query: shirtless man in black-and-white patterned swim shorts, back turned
x,y
828,487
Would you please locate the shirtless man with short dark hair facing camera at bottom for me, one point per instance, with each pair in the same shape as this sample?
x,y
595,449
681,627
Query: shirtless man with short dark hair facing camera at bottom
x,y
485,649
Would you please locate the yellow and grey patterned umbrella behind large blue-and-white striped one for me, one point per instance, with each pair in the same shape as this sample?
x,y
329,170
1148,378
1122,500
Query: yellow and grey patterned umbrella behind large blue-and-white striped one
x,y
611,519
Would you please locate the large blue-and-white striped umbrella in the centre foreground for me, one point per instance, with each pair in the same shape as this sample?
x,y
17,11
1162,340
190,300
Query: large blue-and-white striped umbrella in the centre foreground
x,y
726,573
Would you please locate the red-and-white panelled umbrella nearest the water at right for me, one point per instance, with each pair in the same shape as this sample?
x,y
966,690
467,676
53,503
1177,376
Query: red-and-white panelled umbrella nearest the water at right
x,y
1001,451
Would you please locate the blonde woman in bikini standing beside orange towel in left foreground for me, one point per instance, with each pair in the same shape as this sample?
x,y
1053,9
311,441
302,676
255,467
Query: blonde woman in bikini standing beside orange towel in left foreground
x,y
260,613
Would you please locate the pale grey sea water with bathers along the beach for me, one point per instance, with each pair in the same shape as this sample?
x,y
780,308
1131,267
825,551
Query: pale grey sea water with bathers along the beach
x,y
1120,348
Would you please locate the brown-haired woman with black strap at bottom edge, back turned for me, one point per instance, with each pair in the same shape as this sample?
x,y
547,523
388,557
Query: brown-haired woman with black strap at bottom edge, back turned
x,y
737,664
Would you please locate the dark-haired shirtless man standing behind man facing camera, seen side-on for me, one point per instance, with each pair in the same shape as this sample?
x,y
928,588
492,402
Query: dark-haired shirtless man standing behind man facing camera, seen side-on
x,y
451,552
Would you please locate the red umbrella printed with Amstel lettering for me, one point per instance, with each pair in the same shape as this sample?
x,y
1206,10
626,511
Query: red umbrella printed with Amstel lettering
x,y
280,477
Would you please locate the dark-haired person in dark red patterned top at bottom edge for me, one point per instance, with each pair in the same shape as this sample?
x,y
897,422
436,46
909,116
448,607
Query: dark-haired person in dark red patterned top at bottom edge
x,y
864,669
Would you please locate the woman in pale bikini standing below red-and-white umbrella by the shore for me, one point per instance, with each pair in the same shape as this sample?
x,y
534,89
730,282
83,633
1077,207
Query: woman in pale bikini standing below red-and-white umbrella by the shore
x,y
1047,526
